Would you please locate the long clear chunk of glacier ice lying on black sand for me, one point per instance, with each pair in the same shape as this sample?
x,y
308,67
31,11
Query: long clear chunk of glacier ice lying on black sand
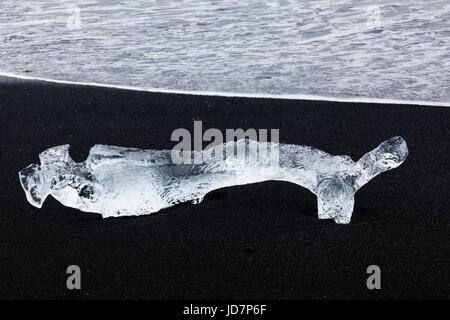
x,y
117,181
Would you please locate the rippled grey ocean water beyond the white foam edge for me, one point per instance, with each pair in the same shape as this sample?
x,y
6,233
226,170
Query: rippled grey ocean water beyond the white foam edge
x,y
336,48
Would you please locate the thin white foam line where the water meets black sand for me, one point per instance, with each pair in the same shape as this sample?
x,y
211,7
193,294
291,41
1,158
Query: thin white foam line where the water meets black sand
x,y
236,94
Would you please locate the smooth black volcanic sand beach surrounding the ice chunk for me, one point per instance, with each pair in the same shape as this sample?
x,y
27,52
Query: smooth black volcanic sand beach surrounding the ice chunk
x,y
255,241
